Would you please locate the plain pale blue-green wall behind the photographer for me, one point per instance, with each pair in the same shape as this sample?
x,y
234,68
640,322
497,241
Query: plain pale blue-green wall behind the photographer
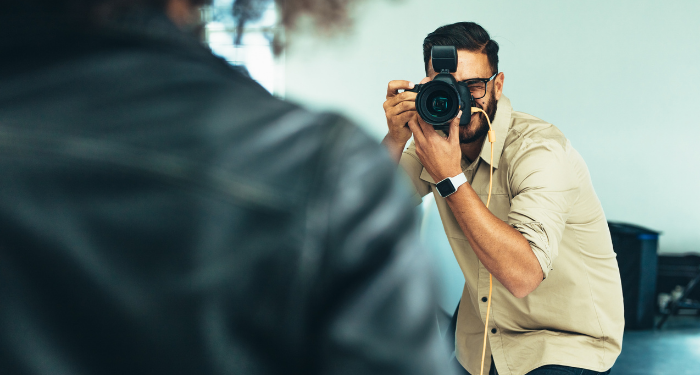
x,y
620,78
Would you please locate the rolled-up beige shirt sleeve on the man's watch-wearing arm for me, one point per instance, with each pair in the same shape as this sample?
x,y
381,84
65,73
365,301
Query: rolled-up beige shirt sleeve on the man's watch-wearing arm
x,y
544,187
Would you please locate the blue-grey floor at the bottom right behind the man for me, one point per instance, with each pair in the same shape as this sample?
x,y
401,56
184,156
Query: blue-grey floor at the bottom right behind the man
x,y
672,350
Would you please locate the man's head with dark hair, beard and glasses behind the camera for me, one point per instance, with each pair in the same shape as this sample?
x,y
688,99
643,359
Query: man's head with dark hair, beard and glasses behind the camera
x,y
477,57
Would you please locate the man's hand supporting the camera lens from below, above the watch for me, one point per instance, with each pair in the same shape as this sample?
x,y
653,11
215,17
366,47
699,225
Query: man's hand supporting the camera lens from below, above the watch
x,y
441,157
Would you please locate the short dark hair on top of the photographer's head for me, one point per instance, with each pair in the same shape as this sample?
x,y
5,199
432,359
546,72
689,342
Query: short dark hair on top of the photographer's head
x,y
464,36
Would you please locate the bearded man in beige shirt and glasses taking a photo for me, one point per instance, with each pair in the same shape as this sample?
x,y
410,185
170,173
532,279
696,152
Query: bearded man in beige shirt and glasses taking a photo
x,y
557,299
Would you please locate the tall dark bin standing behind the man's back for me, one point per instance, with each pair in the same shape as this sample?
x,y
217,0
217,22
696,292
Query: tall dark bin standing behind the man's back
x,y
636,249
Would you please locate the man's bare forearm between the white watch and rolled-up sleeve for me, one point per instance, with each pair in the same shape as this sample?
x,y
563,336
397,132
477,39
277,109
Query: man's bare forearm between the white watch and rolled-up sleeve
x,y
500,248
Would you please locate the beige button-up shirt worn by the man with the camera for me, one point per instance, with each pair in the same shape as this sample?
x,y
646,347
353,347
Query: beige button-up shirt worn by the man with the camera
x,y
542,188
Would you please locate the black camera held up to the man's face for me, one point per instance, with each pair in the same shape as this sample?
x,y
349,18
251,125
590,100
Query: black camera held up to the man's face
x,y
440,100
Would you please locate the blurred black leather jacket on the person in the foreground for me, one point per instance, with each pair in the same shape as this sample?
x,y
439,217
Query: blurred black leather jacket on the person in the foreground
x,y
160,213
